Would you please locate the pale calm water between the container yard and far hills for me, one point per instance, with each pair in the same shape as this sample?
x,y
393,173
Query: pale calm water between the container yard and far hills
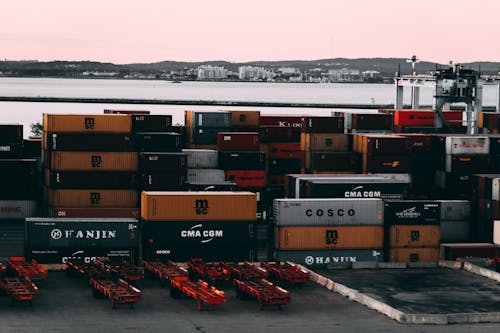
x,y
28,113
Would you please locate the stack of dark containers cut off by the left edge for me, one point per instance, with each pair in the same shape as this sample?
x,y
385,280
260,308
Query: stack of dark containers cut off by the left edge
x,y
20,189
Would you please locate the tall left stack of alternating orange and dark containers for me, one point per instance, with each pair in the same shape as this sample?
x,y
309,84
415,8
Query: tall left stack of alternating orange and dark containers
x,y
90,166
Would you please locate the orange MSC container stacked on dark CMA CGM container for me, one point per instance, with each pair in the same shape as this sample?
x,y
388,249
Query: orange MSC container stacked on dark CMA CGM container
x,y
214,226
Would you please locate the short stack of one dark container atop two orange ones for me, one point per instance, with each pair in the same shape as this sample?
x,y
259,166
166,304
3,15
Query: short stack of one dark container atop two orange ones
x,y
412,229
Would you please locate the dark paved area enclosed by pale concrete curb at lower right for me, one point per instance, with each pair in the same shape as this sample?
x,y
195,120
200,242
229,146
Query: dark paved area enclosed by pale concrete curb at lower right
x,y
430,290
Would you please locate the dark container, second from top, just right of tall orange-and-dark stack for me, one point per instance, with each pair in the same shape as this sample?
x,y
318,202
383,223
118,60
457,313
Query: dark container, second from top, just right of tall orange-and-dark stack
x,y
158,142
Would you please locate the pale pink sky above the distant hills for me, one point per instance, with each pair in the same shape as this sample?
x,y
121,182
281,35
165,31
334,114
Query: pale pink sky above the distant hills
x,y
125,31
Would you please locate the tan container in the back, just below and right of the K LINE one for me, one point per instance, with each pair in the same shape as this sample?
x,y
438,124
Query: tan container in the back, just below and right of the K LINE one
x,y
324,141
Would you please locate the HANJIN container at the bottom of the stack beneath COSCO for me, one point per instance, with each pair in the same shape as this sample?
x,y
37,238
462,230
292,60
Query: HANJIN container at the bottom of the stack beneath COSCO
x,y
328,258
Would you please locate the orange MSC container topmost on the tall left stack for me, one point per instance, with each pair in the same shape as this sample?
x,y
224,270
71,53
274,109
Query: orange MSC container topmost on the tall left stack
x,y
108,123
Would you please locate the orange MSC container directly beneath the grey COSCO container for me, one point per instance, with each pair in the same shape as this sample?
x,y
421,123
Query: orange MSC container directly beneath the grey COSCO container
x,y
329,237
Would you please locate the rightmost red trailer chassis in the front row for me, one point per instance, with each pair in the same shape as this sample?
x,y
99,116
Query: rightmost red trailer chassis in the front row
x,y
265,292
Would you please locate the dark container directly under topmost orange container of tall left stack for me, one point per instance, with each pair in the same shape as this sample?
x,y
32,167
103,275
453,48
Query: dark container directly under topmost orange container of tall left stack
x,y
112,142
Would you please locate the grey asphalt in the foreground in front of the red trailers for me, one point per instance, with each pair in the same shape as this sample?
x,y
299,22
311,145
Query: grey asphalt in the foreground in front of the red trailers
x,y
66,304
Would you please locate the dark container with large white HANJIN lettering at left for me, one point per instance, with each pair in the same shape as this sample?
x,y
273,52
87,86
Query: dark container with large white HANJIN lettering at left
x,y
52,233
